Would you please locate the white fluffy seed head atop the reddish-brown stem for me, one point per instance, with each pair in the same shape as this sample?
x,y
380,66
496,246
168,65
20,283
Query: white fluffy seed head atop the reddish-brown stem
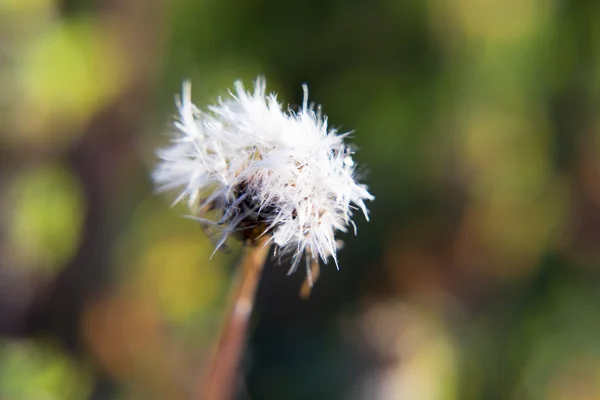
x,y
246,165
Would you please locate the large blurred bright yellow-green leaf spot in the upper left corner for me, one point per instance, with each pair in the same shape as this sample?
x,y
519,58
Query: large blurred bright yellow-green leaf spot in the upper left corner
x,y
65,75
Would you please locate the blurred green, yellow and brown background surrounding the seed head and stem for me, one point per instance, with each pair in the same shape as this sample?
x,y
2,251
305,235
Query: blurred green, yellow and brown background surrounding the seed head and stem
x,y
478,124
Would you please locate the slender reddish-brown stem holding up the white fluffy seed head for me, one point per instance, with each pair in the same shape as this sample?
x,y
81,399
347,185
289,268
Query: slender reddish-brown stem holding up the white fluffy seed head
x,y
223,370
